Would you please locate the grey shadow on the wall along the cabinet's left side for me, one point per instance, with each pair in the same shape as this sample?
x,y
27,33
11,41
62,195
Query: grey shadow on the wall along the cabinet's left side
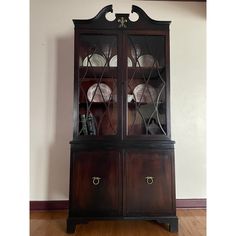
x,y
59,156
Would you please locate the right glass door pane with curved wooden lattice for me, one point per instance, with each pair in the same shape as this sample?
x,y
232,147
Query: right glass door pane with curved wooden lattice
x,y
146,85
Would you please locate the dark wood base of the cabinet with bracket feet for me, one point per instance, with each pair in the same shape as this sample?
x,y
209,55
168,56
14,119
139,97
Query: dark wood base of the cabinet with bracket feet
x,y
171,222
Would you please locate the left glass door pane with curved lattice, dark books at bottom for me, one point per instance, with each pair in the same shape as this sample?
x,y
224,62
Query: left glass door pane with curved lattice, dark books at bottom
x,y
98,85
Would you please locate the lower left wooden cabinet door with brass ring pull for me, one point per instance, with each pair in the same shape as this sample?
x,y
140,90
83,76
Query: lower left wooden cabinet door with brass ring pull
x,y
95,183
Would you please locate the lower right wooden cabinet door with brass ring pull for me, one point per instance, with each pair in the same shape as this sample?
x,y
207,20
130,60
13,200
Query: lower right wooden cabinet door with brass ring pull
x,y
149,183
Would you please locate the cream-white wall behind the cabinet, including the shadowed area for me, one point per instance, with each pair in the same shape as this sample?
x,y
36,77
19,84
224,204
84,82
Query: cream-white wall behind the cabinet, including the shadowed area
x,y
52,89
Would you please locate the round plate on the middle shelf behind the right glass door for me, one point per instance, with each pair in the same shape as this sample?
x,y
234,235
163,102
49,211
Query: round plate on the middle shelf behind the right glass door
x,y
144,93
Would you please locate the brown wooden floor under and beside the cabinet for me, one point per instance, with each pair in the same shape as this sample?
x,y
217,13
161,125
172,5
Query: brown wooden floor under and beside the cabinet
x,y
192,222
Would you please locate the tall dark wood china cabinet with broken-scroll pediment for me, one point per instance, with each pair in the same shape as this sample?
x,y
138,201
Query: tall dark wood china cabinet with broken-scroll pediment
x,y
122,155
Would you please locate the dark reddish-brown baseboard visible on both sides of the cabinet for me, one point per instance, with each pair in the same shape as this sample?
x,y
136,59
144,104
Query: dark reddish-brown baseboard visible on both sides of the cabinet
x,y
63,205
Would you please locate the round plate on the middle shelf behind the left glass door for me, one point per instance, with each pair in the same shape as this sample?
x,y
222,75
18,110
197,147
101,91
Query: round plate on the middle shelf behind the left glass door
x,y
102,93
